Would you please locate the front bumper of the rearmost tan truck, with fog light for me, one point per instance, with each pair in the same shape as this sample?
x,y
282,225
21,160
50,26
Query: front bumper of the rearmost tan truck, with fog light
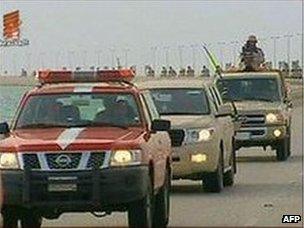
x,y
259,135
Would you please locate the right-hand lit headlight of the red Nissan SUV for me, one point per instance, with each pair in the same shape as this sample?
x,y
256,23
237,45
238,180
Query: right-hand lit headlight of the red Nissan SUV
x,y
125,157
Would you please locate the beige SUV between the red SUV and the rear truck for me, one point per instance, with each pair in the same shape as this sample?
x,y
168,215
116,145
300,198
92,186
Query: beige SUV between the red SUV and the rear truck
x,y
202,150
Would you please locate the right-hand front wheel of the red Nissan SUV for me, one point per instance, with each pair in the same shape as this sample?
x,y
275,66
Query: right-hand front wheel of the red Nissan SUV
x,y
140,213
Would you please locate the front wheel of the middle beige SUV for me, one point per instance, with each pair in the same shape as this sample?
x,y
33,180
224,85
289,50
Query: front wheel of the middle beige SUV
x,y
213,182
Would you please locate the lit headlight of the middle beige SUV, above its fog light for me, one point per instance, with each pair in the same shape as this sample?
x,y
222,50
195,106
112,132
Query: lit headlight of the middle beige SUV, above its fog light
x,y
198,135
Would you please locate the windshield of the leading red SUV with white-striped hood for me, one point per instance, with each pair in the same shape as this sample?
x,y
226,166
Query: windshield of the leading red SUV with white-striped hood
x,y
79,110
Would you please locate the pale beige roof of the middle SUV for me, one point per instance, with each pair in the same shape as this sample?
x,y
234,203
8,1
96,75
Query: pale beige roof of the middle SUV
x,y
159,83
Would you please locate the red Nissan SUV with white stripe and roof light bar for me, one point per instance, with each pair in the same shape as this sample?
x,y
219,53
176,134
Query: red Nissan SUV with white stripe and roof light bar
x,y
85,142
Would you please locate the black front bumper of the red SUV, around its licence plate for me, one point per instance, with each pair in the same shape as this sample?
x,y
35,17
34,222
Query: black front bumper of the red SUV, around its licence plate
x,y
95,189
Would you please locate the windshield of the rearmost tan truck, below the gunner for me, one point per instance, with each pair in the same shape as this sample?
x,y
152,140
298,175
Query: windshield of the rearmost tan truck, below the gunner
x,y
254,89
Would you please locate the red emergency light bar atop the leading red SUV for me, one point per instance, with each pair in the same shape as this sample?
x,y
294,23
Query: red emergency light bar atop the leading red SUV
x,y
66,76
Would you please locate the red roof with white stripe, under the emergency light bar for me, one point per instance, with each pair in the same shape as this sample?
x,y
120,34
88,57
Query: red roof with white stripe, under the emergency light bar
x,y
84,87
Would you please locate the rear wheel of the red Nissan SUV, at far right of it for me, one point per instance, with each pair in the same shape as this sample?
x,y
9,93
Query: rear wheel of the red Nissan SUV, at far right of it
x,y
162,204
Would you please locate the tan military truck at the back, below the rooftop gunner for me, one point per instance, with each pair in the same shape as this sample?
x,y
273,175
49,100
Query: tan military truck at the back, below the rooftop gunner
x,y
264,109
